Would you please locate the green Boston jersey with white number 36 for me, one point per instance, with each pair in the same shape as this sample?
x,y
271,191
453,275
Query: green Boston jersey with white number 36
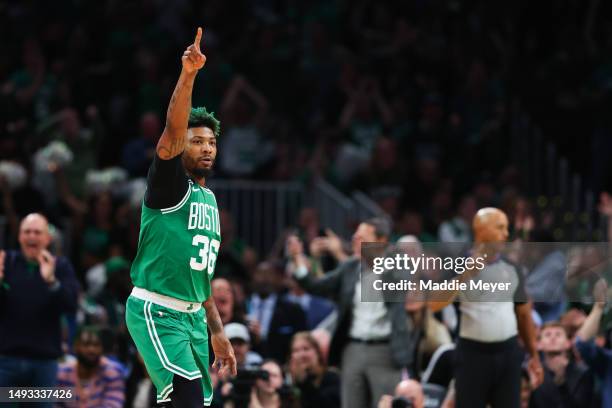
x,y
178,245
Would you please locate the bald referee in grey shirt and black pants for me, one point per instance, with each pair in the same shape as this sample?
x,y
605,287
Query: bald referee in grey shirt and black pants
x,y
488,357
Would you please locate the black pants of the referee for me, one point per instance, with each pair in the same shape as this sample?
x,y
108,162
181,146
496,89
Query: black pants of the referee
x,y
488,373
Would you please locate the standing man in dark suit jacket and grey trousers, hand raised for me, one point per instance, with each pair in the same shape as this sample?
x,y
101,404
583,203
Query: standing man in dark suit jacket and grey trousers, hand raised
x,y
371,343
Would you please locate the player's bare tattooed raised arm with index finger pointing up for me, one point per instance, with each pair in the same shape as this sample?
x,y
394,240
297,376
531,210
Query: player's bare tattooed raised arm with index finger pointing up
x,y
173,139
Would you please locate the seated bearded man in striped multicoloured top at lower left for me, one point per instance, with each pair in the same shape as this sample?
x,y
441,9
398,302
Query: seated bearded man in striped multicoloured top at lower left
x,y
97,381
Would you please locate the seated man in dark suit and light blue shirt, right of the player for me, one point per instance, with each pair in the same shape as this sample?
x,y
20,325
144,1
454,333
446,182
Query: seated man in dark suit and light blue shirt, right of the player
x,y
272,319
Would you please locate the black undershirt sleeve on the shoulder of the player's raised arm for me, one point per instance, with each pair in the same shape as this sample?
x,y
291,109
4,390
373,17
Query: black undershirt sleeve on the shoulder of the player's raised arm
x,y
167,183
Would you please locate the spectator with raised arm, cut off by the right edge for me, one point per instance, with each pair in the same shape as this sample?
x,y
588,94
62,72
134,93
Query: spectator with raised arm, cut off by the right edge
x,y
597,358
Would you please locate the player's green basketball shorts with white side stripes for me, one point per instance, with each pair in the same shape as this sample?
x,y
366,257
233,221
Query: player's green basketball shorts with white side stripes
x,y
171,342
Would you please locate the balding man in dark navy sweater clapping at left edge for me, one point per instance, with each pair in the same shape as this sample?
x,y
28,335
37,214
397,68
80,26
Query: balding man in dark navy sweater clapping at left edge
x,y
36,290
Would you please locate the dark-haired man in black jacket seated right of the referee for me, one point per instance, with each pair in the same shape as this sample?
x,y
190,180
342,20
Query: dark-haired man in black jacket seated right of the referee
x,y
566,383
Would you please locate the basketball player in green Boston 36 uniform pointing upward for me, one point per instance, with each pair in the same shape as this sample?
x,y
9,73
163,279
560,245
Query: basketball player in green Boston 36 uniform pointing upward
x,y
177,250
